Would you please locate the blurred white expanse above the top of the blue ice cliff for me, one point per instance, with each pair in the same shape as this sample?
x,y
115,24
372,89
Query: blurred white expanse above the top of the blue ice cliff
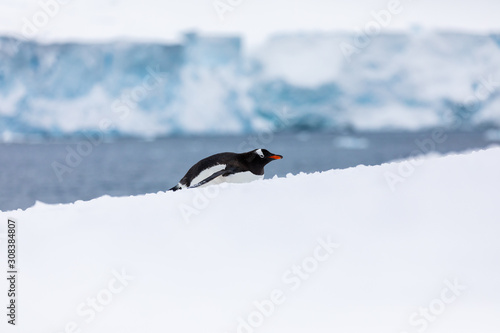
x,y
255,19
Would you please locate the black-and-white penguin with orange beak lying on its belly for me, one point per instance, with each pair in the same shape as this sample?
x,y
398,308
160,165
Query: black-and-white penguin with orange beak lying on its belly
x,y
227,167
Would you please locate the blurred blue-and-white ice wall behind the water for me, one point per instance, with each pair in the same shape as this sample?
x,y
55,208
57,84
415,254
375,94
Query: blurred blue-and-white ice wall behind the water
x,y
214,85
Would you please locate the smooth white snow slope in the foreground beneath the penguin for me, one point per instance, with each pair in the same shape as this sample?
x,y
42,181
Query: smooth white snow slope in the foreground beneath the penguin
x,y
338,251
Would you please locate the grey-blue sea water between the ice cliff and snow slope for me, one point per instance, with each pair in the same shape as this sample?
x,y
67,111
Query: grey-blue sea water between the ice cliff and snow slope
x,y
63,172
